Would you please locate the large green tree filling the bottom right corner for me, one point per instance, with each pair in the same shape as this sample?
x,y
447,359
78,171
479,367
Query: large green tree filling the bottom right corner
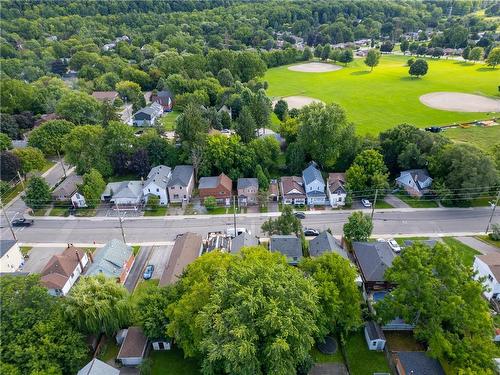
x,y
438,293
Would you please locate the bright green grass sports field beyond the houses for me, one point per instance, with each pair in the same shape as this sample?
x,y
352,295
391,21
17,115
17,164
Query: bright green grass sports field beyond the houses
x,y
388,96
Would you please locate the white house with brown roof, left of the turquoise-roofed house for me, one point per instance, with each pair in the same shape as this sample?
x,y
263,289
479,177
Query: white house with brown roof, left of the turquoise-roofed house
x,y
61,272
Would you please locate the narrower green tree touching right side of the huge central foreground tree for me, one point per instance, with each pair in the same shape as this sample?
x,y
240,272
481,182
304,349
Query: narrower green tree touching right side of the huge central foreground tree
x,y
339,296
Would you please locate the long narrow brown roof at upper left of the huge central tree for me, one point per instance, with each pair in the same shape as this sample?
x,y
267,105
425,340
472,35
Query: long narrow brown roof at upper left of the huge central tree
x,y
186,249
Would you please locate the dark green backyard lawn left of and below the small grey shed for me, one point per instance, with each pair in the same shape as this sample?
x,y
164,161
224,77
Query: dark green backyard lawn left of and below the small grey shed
x,y
362,361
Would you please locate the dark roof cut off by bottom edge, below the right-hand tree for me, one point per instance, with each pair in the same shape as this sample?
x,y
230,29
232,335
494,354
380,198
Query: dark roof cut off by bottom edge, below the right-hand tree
x,y
417,363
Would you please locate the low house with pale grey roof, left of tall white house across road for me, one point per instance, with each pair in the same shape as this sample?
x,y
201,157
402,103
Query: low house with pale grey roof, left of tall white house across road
x,y
124,194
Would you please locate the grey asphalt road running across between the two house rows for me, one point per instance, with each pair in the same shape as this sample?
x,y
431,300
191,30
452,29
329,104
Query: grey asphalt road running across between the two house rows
x,y
148,230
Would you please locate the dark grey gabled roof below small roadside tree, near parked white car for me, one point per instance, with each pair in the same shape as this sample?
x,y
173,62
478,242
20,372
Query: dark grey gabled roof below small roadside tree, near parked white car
x,y
374,259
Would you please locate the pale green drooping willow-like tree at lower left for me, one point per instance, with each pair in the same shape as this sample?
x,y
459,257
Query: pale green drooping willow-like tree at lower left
x,y
98,304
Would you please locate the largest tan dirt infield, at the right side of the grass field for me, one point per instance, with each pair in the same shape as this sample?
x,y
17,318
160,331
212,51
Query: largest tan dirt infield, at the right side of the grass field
x,y
459,102
